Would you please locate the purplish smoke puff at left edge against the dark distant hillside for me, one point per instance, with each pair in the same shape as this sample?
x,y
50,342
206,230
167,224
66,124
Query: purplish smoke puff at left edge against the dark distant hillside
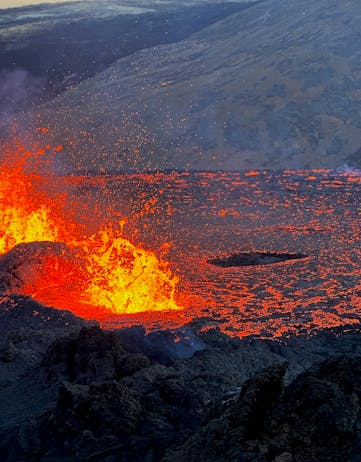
x,y
18,90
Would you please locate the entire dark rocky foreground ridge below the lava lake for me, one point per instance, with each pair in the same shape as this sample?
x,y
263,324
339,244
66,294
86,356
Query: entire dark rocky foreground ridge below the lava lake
x,y
71,391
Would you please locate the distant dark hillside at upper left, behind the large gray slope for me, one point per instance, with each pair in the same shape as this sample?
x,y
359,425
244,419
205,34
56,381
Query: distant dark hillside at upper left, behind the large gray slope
x,y
47,49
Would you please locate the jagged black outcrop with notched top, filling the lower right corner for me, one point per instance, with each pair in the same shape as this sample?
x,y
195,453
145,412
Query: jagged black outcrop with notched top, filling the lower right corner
x,y
317,417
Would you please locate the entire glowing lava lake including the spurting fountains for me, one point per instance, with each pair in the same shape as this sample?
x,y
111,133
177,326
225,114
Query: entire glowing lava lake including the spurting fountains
x,y
188,218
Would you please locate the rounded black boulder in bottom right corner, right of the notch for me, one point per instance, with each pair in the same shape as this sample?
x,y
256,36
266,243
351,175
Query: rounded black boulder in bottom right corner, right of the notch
x,y
319,413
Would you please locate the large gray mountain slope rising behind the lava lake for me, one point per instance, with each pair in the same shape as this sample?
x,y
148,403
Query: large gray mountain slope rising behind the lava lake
x,y
275,86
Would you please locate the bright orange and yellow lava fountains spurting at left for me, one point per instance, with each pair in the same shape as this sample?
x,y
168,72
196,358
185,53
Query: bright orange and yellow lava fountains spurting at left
x,y
104,269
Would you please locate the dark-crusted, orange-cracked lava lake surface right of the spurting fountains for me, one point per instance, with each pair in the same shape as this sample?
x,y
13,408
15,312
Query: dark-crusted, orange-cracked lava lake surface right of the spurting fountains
x,y
226,213
